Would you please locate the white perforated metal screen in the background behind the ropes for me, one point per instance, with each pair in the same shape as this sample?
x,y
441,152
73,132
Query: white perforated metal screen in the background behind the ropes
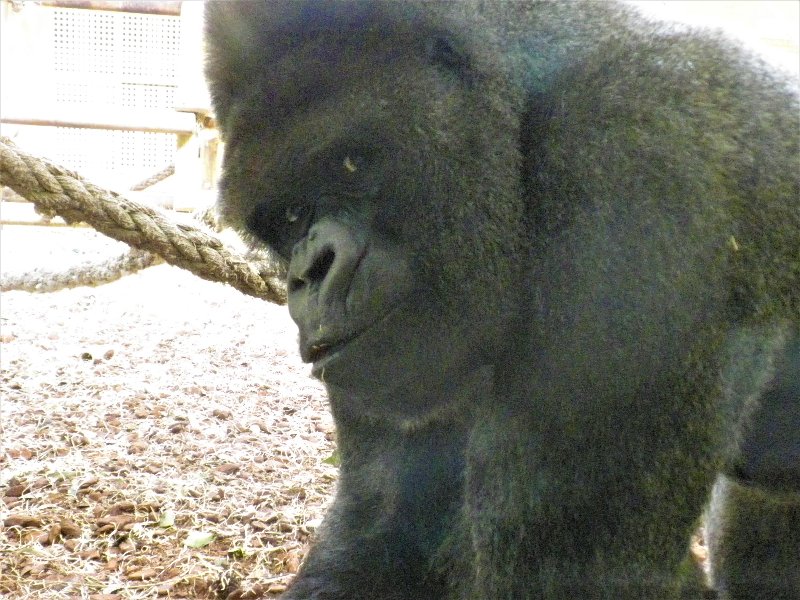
x,y
109,61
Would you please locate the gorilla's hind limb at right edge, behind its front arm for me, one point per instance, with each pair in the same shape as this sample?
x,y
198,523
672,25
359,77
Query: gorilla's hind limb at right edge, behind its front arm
x,y
753,524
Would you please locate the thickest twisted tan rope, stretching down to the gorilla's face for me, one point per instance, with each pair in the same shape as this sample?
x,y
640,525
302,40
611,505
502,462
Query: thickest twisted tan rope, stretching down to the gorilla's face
x,y
57,191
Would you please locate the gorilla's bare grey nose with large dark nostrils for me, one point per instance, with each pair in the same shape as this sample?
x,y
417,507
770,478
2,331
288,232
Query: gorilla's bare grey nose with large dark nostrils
x,y
321,270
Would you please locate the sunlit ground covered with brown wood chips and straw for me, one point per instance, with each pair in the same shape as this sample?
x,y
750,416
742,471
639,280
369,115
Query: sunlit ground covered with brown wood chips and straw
x,y
160,437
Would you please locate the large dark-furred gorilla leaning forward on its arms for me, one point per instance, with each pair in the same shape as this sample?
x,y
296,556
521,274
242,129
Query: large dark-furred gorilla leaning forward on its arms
x,y
545,257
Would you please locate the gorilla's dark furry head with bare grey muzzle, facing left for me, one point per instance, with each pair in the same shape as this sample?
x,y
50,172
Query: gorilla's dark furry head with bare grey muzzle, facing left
x,y
369,174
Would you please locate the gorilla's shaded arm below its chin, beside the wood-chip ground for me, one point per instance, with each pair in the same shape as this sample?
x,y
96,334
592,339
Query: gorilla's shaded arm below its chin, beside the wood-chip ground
x,y
399,494
